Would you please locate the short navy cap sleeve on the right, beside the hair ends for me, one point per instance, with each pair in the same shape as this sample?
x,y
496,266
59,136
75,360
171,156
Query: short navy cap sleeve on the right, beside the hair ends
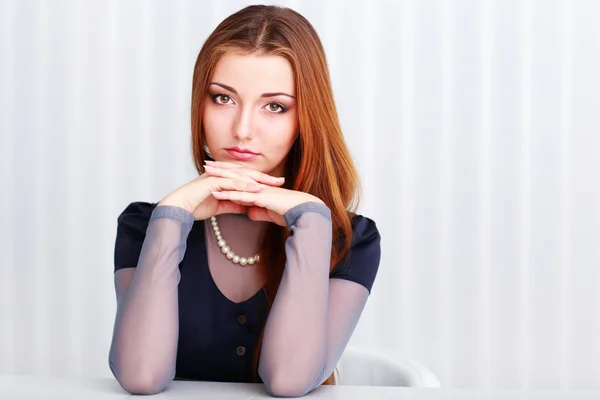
x,y
361,263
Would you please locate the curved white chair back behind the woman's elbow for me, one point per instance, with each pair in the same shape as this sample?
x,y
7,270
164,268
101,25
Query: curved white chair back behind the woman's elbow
x,y
362,367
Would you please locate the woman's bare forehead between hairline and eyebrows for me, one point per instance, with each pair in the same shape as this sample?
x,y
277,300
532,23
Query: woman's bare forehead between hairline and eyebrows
x,y
255,74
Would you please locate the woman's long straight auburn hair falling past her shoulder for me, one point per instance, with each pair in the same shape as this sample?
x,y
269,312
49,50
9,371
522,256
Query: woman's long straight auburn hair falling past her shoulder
x,y
319,162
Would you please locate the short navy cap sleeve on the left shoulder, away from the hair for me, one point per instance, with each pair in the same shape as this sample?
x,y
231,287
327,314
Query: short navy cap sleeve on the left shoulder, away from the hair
x,y
132,223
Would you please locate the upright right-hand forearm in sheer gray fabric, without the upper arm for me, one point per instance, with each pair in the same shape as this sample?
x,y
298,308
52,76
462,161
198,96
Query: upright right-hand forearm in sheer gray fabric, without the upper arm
x,y
294,346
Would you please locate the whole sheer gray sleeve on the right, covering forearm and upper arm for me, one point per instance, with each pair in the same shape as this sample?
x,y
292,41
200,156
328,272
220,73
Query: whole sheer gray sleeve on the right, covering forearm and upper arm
x,y
312,317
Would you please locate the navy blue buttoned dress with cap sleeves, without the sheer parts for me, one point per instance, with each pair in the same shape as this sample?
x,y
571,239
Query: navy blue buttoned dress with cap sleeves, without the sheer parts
x,y
217,337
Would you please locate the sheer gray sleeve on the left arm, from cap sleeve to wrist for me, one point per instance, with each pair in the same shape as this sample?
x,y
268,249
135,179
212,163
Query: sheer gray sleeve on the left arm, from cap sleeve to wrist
x,y
144,343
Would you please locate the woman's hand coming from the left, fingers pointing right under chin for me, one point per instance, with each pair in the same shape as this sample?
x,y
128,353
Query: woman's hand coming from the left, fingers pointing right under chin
x,y
195,196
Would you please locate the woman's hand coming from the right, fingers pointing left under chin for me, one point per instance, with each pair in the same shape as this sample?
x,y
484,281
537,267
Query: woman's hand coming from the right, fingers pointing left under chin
x,y
270,204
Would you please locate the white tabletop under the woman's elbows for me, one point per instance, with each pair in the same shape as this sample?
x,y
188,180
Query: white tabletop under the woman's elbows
x,y
36,387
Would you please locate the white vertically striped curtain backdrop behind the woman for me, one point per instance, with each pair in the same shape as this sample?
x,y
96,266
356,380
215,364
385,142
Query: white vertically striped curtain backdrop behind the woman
x,y
475,125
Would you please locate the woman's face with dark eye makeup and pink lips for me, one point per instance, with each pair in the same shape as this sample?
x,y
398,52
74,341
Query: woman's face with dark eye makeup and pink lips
x,y
250,112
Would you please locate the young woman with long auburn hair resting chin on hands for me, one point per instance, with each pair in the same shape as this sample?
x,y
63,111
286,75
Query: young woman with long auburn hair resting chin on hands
x,y
257,270
